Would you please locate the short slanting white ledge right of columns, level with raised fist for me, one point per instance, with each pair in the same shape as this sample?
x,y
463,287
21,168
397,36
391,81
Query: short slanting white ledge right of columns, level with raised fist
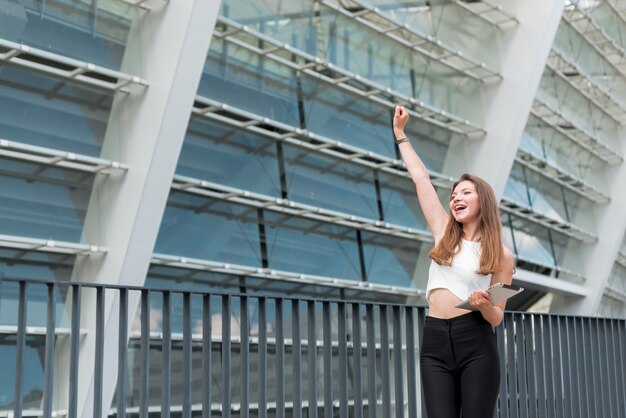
x,y
556,121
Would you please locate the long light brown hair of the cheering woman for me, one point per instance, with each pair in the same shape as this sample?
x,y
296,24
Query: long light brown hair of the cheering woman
x,y
489,228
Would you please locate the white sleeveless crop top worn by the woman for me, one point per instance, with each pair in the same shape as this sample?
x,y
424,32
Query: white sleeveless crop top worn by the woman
x,y
460,278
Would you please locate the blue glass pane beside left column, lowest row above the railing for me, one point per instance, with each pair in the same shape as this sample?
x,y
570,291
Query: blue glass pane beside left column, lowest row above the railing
x,y
198,227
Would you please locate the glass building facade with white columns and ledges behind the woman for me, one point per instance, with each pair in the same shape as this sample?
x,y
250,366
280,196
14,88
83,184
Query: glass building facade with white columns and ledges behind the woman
x,y
283,175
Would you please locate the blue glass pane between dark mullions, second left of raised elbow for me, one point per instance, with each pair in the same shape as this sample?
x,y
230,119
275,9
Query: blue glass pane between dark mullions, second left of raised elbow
x,y
330,183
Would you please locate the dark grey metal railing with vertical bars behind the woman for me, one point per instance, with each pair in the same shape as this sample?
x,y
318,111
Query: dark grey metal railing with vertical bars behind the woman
x,y
195,353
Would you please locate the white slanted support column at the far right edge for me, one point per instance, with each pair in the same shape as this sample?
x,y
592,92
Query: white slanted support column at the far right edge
x,y
597,259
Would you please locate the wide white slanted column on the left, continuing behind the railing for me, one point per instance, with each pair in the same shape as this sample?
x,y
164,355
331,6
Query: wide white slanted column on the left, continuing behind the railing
x,y
167,46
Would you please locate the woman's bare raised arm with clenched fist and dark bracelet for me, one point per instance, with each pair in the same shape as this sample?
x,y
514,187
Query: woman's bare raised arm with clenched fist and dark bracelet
x,y
435,214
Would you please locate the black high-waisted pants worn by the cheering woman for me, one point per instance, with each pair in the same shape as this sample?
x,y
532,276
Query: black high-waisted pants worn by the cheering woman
x,y
460,367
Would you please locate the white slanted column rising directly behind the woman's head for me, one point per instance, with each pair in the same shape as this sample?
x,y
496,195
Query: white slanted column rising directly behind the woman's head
x,y
507,104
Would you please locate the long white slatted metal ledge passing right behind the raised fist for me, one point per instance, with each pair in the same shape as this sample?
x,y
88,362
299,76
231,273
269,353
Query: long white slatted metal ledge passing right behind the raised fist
x,y
321,69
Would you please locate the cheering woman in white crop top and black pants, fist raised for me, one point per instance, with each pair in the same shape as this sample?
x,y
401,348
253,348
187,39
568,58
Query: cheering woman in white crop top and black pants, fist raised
x,y
459,357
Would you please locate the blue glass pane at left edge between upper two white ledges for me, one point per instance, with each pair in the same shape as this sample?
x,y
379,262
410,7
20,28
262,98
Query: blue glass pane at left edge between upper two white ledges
x,y
38,110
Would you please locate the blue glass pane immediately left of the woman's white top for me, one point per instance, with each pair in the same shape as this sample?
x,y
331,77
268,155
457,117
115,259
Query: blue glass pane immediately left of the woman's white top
x,y
389,260
